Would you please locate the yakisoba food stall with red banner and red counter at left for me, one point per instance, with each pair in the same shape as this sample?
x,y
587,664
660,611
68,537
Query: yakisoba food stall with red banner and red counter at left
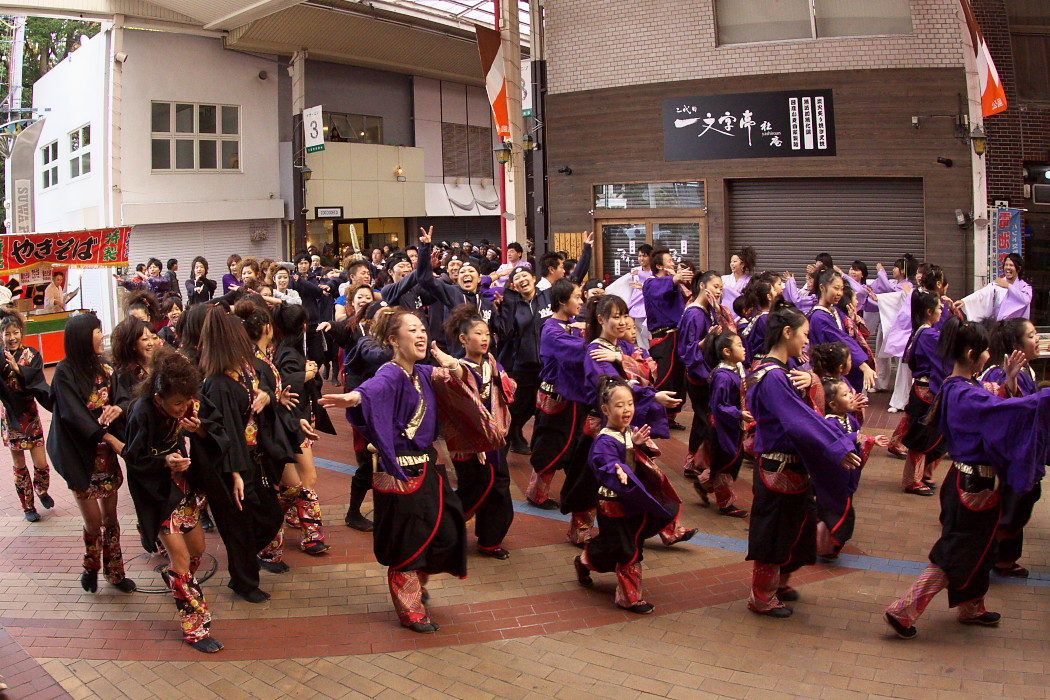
x,y
37,261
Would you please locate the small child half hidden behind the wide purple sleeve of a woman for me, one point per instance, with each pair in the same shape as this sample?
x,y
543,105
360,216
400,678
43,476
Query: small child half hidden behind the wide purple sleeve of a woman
x,y
835,527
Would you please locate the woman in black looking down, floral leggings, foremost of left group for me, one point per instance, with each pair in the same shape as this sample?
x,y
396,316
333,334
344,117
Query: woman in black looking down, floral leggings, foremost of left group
x,y
164,485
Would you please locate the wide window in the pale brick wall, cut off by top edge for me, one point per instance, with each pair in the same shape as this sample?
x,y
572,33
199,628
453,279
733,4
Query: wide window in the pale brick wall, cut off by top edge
x,y
751,22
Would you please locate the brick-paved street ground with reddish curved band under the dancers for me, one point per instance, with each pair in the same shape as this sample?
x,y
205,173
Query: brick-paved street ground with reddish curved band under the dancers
x,y
521,628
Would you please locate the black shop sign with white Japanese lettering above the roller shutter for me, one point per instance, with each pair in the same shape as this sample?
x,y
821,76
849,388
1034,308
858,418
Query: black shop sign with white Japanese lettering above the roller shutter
x,y
753,125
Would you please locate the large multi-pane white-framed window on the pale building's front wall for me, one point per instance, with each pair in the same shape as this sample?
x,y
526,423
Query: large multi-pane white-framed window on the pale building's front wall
x,y
195,138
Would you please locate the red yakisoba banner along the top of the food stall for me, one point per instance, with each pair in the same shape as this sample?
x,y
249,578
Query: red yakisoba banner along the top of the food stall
x,y
100,247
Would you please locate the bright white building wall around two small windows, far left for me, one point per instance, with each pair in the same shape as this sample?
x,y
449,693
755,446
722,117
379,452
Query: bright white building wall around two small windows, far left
x,y
72,95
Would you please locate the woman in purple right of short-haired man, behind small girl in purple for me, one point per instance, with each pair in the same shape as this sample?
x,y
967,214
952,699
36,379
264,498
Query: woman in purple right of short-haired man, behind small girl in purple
x,y
703,317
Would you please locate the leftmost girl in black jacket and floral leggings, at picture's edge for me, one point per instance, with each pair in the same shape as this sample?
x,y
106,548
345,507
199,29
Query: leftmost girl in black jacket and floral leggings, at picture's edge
x,y
23,389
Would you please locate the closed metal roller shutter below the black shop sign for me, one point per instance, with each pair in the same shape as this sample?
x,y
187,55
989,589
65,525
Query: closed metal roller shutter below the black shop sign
x,y
789,222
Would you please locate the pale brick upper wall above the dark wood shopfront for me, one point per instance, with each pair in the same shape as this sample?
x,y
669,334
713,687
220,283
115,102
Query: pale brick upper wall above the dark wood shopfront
x,y
611,44
